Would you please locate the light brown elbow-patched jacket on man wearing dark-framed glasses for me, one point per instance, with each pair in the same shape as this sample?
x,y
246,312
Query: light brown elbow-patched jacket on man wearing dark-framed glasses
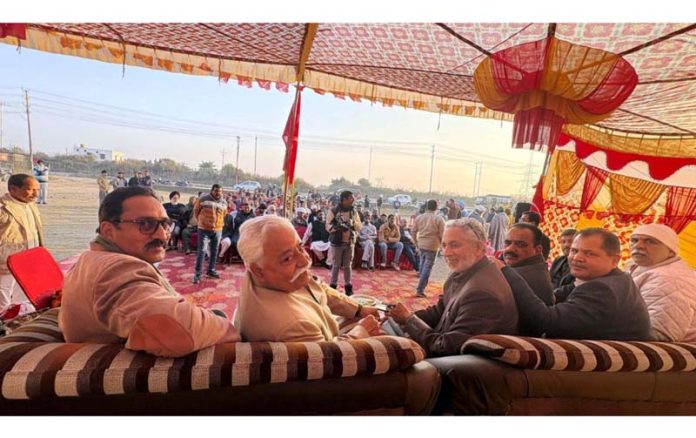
x,y
110,297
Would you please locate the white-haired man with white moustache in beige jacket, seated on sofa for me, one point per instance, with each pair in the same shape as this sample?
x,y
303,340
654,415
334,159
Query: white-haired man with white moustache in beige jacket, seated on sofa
x,y
280,301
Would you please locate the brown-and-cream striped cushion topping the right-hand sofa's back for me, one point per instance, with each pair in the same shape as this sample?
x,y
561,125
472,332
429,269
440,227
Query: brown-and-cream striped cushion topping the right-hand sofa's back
x,y
586,355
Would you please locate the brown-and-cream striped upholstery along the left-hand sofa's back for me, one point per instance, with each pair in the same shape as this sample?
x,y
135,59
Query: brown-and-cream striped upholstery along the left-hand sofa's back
x,y
31,368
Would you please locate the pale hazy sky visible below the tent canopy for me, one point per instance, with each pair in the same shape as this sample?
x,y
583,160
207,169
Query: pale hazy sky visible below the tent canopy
x,y
79,101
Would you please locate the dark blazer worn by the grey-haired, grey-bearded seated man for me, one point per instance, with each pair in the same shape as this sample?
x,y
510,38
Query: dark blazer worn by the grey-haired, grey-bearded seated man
x,y
476,301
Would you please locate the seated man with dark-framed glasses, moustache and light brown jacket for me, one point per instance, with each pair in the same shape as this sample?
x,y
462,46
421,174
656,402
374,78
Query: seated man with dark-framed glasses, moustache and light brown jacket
x,y
115,294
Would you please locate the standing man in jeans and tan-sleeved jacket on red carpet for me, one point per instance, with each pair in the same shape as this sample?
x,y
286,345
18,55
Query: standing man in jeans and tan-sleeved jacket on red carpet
x,y
210,211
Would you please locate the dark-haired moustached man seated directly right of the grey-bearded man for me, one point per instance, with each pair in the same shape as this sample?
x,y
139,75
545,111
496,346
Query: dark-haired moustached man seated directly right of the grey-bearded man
x,y
522,253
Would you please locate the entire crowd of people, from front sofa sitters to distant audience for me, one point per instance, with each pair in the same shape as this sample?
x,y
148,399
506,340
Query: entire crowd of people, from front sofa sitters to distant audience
x,y
115,293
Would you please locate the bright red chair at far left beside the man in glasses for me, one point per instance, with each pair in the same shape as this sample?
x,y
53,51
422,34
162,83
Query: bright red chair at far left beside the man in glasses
x,y
38,274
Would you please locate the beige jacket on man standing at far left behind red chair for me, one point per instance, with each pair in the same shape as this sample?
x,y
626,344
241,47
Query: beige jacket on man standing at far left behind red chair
x,y
13,228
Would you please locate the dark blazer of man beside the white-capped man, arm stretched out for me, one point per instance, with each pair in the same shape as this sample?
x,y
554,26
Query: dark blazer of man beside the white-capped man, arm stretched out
x,y
608,307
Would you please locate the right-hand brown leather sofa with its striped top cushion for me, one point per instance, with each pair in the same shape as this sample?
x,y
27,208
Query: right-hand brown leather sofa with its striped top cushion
x,y
517,375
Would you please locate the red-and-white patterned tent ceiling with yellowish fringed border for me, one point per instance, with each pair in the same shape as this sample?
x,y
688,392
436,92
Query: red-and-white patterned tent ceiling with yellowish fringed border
x,y
426,66
